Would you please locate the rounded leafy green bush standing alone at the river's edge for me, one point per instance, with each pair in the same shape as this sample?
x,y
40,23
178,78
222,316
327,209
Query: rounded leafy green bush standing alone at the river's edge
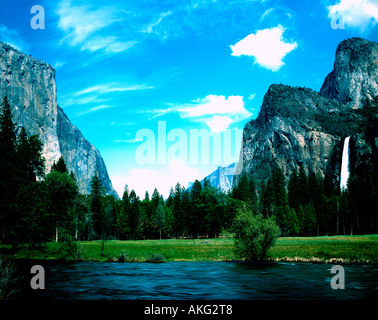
x,y
254,234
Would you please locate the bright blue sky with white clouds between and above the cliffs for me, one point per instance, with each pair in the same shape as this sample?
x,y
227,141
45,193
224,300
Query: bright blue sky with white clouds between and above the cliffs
x,y
164,88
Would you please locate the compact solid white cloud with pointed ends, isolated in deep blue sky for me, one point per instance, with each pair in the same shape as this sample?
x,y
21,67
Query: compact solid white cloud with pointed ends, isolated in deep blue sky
x,y
267,46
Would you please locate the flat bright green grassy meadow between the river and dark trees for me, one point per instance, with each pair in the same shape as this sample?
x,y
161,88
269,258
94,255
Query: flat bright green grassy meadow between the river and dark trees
x,y
335,249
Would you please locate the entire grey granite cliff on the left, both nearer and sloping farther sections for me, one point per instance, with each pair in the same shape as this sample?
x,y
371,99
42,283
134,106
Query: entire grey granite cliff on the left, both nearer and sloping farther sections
x,y
30,87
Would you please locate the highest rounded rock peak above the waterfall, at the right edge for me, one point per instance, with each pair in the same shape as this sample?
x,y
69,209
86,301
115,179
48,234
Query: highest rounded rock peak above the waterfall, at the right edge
x,y
354,77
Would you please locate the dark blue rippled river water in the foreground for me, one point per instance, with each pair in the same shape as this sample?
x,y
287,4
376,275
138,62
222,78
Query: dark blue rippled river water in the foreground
x,y
205,280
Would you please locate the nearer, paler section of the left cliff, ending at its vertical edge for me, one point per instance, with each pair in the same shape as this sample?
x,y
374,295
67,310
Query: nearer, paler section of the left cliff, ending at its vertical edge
x,y
30,87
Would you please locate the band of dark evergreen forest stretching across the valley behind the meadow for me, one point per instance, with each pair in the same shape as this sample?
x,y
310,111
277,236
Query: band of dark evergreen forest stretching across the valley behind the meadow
x,y
38,206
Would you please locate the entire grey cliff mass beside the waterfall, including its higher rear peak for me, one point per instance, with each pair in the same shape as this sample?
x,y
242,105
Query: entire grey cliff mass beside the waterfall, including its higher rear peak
x,y
298,126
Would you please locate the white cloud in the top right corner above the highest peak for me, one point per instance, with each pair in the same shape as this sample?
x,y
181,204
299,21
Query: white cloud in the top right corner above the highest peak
x,y
360,14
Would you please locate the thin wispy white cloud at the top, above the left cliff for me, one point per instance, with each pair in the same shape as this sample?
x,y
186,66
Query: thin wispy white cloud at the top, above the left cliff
x,y
82,25
